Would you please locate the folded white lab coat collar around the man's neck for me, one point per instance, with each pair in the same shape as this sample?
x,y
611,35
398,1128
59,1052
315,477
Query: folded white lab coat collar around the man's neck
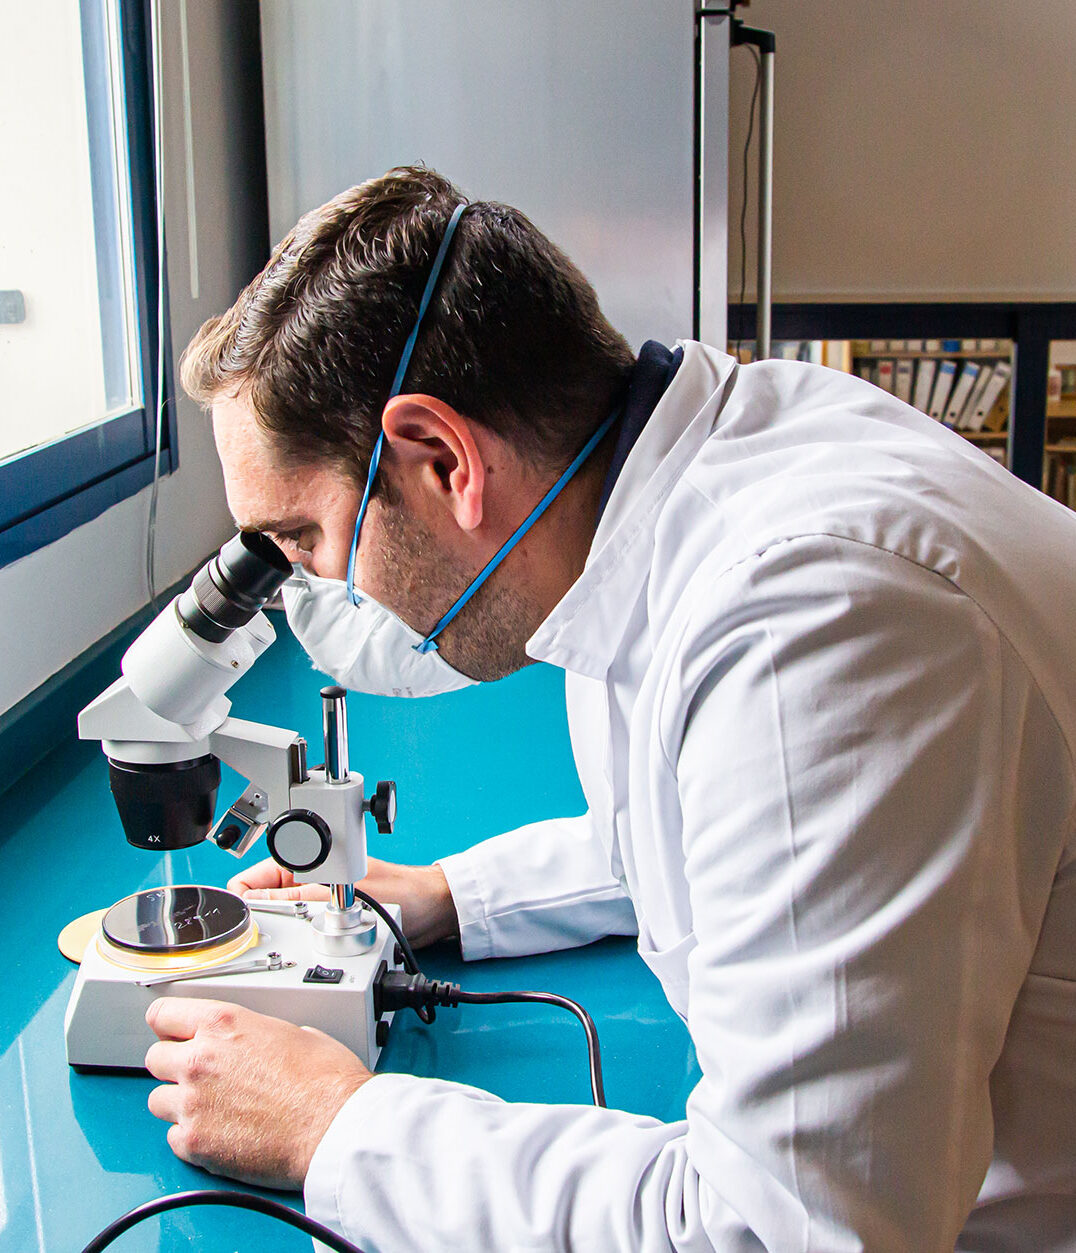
x,y
584,632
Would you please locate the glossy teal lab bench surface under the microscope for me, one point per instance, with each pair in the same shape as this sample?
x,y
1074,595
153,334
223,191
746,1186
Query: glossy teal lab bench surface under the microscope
x,y
77,1151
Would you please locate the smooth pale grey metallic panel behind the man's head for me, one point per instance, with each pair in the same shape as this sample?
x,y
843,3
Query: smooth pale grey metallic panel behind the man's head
x,y
579,115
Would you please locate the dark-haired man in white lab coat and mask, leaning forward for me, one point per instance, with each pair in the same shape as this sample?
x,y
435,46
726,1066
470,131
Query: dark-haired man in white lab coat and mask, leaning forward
x,y
820,686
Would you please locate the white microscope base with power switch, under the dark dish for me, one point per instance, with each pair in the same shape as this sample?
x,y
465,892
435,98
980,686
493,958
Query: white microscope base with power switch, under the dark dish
x,y
106,1027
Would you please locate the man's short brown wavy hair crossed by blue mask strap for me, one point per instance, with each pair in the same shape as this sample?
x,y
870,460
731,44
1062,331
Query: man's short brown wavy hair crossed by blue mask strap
x,y
514,338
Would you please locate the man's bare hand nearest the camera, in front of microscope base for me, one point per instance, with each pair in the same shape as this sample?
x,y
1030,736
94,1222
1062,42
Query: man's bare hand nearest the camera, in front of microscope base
x,y
249,1097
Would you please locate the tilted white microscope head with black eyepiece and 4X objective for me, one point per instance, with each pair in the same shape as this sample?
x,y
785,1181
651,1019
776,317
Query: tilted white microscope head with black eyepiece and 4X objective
x,y
155,724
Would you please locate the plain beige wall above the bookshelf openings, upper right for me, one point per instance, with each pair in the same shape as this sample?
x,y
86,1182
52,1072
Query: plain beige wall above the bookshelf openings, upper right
x,y
923,151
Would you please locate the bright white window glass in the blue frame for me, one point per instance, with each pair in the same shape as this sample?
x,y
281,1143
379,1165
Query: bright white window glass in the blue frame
x,y
68,316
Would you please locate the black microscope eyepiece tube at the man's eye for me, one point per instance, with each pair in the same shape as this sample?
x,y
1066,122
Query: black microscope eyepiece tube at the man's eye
x,y
234,586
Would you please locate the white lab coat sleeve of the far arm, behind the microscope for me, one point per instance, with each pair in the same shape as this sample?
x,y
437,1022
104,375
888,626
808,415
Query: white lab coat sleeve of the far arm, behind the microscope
x,y
537,889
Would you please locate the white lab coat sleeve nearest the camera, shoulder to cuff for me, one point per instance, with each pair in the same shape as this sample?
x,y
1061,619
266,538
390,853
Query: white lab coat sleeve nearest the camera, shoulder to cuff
x,y
834,739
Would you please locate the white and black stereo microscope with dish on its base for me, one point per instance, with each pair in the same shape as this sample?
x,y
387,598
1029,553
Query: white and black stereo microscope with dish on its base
x,y
165,727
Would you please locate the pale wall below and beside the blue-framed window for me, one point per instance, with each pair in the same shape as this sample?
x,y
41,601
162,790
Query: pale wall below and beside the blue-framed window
x,y
58,602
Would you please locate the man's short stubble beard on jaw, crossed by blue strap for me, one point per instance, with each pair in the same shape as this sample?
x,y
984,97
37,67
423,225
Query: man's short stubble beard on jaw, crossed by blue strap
x,y
488,640
